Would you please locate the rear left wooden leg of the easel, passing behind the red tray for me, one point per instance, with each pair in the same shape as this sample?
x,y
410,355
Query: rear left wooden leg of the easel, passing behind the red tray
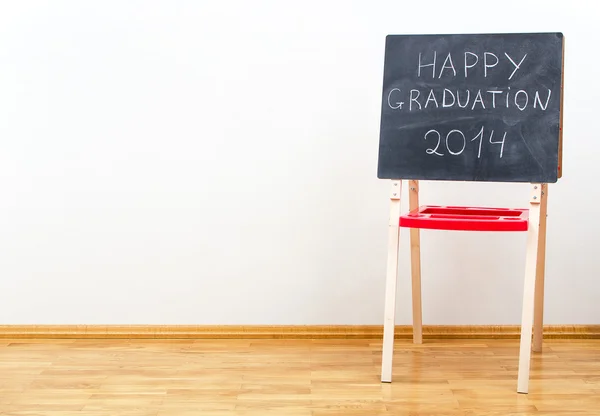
x,y
415,266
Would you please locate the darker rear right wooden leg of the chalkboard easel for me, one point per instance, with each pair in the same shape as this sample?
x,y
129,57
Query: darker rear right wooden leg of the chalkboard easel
x,y
538,314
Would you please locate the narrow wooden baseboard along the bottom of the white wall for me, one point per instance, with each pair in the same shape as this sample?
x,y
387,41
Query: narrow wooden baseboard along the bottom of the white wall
x,y
285,331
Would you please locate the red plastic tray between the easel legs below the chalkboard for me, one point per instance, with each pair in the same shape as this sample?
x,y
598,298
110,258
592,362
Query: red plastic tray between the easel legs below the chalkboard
x,y
437,217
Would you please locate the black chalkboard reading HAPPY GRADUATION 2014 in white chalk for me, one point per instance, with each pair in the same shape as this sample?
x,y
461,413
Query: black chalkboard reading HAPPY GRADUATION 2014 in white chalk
x,y
472,107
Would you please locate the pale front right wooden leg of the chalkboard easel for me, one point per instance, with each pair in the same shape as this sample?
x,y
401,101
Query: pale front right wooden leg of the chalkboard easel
x,y
529,289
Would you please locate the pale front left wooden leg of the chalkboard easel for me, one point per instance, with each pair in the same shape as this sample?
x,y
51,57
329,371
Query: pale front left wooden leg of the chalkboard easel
x,y
390,284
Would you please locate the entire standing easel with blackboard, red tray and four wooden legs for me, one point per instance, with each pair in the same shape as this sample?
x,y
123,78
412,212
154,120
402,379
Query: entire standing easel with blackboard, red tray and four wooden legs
x,y
404,154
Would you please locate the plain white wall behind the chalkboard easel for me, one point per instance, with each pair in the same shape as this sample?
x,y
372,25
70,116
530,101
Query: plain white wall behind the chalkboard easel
x,y
189,162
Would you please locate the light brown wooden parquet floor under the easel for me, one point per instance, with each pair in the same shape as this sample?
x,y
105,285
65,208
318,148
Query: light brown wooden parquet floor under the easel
x,y
293,377
